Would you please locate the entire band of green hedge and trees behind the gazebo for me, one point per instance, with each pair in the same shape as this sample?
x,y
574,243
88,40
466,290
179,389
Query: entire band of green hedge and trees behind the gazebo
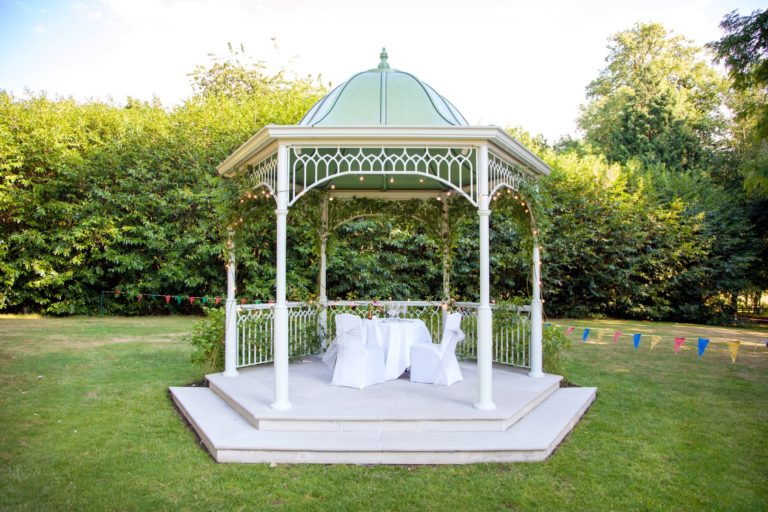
x,y
646,218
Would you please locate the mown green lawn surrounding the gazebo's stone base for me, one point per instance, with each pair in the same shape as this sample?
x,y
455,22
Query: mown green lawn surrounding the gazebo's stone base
x,y
86,424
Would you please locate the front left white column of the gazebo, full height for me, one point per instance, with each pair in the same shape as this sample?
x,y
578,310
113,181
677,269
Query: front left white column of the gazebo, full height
x,y
280,340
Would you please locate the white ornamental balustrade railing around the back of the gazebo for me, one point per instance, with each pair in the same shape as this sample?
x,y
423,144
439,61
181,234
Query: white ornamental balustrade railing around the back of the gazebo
x,y
310,329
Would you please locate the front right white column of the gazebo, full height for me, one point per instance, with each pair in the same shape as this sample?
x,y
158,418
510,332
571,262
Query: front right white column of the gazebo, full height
x,y
484,313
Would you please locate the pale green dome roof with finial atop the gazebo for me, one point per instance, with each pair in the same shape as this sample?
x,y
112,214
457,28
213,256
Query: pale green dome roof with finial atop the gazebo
x,y
383,96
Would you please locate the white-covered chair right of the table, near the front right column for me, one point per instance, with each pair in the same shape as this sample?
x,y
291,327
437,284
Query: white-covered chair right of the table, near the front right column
x,y
437,364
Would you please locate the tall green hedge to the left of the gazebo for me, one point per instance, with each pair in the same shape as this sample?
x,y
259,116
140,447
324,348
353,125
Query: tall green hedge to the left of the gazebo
x,y
98,197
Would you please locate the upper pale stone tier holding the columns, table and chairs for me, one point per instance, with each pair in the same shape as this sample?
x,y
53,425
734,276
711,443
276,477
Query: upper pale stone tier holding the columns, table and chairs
x,y
397,405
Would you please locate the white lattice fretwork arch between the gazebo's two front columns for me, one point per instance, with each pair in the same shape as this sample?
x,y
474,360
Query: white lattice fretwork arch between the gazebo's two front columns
x,y
454,167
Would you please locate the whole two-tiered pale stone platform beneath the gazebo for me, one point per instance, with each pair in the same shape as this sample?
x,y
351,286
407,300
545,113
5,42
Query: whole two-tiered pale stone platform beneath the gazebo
x,y
397,422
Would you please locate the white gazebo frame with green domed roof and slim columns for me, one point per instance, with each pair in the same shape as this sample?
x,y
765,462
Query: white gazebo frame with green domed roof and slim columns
x,y
384,134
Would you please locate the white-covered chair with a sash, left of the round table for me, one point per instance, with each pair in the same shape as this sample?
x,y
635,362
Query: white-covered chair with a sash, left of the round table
x,y
354,363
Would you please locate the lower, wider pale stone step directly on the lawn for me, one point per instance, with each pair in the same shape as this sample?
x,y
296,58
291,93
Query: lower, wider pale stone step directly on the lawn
x,y
231,438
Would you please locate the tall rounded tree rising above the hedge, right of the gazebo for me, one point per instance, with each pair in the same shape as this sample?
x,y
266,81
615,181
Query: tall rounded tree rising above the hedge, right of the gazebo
x,y
656,101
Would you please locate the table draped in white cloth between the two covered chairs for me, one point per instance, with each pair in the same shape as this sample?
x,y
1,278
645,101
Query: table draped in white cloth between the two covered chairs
x,y
396,336
